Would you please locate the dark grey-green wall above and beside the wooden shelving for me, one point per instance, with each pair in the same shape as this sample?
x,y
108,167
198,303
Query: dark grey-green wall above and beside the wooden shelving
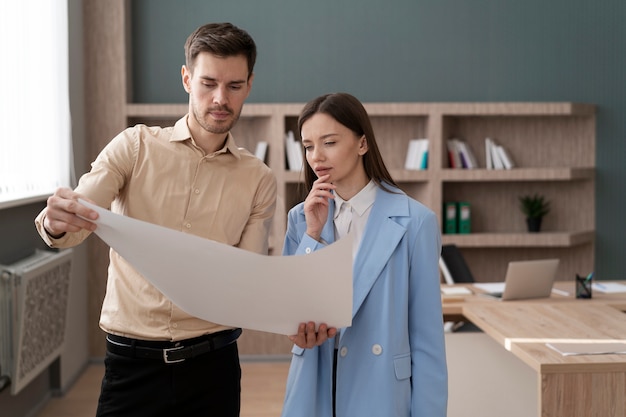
x,y
421,50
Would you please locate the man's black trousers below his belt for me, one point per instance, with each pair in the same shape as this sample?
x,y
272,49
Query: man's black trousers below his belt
x,y
207,385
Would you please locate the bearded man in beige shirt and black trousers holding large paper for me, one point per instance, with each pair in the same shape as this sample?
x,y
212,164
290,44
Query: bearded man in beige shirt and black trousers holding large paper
x,y
192,178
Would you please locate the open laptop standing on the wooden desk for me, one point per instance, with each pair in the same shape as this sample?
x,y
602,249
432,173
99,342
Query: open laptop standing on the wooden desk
x,y
524,280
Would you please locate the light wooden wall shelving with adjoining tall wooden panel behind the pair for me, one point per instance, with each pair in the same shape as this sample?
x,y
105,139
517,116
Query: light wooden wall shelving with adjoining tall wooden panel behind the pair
x,y
552,143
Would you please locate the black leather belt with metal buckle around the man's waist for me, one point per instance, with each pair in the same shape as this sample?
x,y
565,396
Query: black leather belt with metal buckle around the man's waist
x,y
171,352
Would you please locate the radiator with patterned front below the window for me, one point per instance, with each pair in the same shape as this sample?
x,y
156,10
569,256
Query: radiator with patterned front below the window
x,y
33,312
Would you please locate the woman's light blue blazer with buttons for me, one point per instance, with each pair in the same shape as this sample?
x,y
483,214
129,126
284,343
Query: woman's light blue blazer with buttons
x,y
391,361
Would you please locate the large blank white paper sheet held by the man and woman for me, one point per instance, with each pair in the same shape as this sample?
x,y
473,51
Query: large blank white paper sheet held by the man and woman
x,y
231,286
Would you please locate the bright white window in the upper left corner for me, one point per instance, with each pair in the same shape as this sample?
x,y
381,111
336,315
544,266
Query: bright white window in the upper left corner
x,y
34,100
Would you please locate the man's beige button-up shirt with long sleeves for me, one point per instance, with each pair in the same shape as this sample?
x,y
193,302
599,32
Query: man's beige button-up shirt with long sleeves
x,y
160,176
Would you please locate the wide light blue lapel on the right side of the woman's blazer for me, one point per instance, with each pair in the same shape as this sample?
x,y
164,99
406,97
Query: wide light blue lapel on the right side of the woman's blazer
x,y
382,234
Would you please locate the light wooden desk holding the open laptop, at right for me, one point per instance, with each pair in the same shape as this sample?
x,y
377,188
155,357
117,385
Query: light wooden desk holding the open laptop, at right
x,y
585,385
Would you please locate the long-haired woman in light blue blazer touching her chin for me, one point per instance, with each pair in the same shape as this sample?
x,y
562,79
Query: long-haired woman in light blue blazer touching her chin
x,y
391,361
